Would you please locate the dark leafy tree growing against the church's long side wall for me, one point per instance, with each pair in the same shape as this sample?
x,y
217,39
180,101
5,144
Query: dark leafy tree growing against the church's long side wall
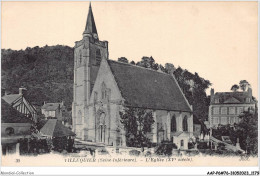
x,y
137,123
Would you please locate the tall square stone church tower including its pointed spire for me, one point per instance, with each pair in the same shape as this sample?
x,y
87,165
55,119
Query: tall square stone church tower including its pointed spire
x,y
88,54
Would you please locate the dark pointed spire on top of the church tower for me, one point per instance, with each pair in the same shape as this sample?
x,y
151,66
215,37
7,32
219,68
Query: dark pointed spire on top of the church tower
x,y
90,28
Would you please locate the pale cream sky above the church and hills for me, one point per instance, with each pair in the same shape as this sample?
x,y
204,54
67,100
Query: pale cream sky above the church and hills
x,y
218,40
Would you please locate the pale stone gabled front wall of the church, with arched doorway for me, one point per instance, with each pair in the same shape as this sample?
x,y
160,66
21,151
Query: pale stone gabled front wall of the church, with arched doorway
x,y
110,106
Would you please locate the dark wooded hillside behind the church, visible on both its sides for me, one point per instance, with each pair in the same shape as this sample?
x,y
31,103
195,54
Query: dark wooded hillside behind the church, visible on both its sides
x,y
47,73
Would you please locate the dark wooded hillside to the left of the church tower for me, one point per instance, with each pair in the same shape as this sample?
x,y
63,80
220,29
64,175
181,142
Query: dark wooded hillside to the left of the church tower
x,y
46,72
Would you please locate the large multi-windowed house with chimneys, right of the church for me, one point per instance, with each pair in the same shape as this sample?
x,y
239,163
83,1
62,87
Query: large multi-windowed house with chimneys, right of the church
x,y
225,107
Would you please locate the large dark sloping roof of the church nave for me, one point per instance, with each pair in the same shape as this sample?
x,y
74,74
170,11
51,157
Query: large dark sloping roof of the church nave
x,y
146,88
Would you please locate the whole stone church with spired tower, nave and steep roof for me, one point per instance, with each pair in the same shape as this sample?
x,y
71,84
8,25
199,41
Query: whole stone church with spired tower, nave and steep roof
x,y
103,87
